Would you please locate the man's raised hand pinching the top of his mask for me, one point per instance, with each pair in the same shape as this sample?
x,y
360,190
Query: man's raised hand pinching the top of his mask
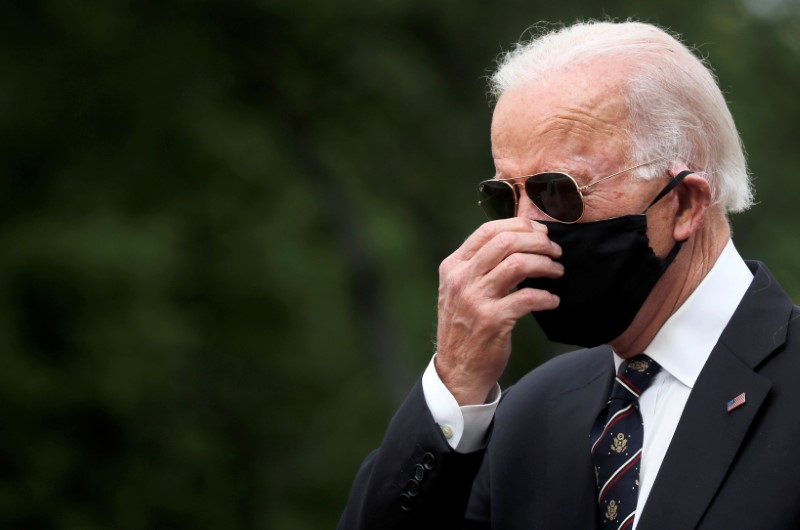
x,y
478,307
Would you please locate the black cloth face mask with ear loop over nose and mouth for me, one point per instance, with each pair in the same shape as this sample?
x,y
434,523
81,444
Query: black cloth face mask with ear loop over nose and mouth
x,y
609,270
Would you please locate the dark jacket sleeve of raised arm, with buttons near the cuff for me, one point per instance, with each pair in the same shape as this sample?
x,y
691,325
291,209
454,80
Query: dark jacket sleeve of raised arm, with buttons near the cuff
x,y
415,479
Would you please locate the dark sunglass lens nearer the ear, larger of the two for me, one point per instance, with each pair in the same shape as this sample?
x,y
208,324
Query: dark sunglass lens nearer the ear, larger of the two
x,y
557,195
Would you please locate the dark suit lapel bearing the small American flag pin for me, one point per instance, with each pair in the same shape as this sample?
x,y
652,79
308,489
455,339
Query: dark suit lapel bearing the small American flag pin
x,y
708,437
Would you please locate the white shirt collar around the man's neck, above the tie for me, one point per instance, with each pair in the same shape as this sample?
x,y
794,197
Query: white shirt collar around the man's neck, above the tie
x,y
685,341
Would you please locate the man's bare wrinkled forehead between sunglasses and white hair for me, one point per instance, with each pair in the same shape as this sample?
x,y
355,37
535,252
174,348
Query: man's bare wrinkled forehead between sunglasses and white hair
x,y
573,120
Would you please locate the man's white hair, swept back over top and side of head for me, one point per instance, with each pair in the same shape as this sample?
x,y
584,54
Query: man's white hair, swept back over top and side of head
x,y
676,107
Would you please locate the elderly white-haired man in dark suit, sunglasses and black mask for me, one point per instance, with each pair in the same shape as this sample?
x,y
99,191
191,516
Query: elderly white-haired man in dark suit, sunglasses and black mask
x,y
617,163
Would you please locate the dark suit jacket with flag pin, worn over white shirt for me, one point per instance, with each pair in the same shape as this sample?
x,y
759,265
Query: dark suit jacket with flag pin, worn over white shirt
x,y
723,470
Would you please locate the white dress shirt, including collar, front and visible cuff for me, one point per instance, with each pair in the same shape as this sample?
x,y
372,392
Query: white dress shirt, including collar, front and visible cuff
x,y
681,347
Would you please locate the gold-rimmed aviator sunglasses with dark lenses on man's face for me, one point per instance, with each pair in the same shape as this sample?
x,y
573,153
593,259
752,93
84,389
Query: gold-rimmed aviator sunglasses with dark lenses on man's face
x,y
555,193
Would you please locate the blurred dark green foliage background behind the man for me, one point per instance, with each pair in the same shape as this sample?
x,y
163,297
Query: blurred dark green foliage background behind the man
x,y
222,222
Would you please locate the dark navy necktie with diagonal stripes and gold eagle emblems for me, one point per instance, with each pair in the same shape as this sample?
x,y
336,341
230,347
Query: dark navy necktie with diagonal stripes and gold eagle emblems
x,y
617,444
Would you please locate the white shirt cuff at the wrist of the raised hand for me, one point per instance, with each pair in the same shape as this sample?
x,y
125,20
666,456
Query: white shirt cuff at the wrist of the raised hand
x,y
464,427
